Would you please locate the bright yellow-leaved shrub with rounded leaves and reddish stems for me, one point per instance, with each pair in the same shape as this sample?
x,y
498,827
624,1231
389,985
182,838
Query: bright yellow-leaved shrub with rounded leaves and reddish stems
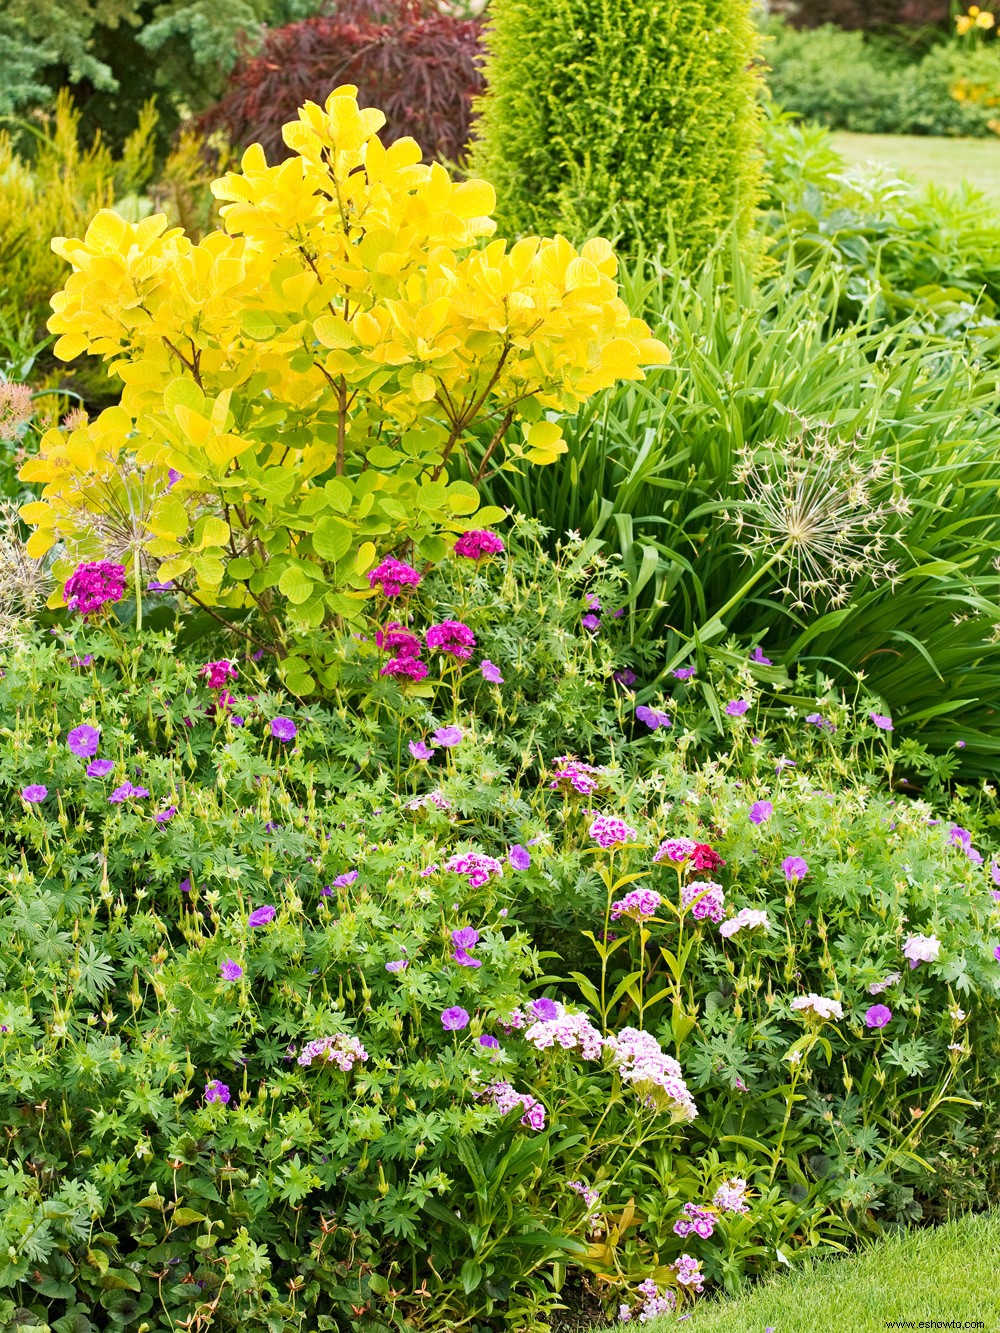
x,y
297,385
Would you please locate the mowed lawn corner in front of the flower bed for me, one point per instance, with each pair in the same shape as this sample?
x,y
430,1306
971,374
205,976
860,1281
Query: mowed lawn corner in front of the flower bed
x,y
946,1276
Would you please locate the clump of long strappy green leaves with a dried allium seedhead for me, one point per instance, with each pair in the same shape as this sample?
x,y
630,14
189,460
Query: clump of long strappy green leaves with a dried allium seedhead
x,y
690,481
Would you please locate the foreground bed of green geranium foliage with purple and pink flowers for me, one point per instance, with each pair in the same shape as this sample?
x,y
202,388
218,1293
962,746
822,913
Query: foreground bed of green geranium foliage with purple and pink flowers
x,y
207,884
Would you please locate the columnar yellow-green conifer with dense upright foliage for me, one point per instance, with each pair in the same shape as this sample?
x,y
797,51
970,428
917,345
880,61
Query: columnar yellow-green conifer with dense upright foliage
x,y
583,123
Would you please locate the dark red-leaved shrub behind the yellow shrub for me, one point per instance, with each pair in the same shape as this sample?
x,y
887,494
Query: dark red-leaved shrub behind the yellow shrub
x,y
417,65
